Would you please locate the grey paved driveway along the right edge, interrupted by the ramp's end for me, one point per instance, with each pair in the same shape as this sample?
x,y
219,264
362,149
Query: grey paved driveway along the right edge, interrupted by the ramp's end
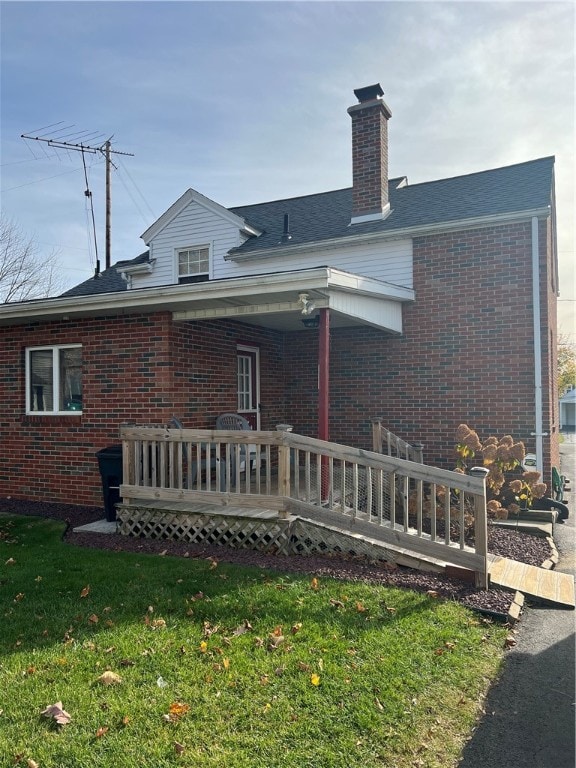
x,y
530,713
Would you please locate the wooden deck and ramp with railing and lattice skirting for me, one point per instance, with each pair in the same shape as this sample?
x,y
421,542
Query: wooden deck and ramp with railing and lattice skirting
x,y
299,495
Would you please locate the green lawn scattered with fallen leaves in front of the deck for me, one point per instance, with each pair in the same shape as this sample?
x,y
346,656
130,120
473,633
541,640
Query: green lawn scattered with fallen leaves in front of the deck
x,y
222,666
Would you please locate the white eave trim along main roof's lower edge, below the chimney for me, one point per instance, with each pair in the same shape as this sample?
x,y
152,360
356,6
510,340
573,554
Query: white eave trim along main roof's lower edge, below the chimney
x,y
393,234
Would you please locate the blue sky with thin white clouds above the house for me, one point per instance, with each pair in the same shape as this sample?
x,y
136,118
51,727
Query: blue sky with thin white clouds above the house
x,y
246,102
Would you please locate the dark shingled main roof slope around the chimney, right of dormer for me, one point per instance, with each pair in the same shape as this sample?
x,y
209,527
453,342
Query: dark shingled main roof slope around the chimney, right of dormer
x,y
326,216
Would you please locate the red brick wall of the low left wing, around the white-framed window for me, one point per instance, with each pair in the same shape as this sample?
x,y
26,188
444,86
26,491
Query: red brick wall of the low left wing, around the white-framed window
x,y
136,369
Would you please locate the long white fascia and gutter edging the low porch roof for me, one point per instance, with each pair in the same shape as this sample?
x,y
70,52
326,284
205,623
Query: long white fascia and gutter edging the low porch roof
x,y
175,298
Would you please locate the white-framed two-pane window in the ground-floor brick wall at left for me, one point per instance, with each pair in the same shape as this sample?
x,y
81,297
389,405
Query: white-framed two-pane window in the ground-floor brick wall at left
x,y
54,379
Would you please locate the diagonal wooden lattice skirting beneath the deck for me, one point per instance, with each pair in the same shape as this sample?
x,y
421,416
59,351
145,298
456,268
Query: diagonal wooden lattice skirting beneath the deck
x,y
279,536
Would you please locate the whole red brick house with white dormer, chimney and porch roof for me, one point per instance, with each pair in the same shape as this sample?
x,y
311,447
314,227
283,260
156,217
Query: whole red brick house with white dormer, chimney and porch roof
x,y
427,305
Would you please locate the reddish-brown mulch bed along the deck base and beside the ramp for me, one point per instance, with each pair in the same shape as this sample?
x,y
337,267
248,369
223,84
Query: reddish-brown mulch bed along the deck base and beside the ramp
x,y
533,550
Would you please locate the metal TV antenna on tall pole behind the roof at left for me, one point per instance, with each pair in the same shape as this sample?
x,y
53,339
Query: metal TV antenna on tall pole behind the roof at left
x,y
104,149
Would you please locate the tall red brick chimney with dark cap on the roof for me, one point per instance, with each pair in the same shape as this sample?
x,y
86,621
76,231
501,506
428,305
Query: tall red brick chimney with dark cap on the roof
x,y
369,155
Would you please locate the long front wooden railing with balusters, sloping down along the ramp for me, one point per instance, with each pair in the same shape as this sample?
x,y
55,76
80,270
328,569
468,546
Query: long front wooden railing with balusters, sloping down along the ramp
x,y
429,511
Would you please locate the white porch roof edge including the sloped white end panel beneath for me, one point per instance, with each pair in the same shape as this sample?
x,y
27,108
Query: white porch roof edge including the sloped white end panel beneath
x,y
272,301
